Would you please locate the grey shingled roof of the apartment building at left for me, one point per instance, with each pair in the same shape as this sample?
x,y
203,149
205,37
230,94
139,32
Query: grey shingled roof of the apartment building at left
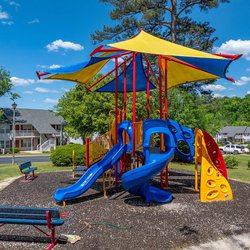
x,y
39,118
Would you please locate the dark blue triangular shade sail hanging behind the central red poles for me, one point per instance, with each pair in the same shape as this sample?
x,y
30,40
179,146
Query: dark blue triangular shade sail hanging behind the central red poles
x,y
141,79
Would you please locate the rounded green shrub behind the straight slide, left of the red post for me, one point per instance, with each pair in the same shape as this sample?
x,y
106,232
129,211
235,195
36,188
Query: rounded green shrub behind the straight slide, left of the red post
x,y
62,155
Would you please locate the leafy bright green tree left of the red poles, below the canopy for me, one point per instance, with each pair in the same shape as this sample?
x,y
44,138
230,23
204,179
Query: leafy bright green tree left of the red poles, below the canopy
x,y
86,112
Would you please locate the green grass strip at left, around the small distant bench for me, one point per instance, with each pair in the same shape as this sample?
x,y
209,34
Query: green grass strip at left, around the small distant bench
x,y
9,170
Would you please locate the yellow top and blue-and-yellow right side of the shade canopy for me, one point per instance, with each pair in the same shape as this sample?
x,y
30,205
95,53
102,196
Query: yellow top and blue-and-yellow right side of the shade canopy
x,y
183,64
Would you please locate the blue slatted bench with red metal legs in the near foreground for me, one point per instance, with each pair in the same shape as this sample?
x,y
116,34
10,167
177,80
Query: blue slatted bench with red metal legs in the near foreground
x,y
49,217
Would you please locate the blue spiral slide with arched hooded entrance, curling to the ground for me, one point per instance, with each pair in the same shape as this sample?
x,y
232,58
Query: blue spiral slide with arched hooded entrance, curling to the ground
x,y
137,181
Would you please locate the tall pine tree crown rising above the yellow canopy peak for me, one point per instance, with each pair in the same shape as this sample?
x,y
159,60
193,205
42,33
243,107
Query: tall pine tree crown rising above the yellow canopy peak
x,y
167,19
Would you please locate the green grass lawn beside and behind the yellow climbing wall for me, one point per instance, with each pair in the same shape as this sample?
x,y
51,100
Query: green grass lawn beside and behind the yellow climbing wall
x,y
242,172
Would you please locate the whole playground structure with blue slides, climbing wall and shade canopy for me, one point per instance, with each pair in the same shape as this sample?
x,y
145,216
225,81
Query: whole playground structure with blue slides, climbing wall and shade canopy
x,y
176,65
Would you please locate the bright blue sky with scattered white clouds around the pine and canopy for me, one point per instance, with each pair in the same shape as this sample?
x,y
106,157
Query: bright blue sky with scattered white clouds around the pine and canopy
x,y
48,33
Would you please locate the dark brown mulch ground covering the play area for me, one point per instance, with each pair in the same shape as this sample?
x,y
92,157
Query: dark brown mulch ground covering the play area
x,y
125,222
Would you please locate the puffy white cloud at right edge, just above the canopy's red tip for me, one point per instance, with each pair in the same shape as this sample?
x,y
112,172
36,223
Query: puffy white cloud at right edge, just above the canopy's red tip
x,y
235,47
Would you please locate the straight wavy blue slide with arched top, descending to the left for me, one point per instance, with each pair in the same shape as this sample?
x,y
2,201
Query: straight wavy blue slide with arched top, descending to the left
x,y
92,174
